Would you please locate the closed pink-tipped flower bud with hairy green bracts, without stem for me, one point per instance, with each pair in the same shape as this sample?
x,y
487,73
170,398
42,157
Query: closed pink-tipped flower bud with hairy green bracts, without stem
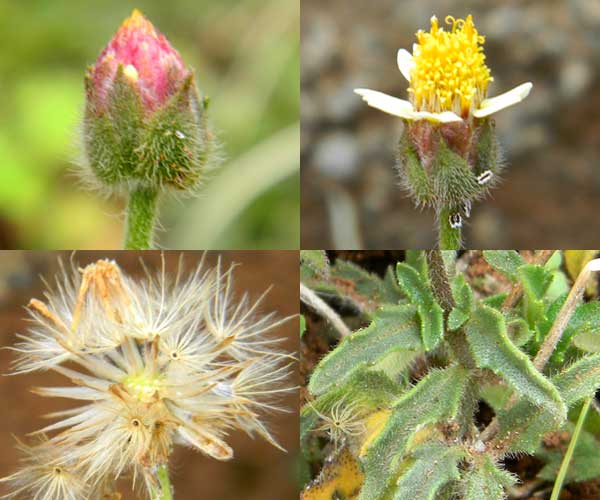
x,y
144,121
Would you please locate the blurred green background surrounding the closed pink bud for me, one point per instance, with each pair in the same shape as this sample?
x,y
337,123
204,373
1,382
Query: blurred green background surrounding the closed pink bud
x,y
246,57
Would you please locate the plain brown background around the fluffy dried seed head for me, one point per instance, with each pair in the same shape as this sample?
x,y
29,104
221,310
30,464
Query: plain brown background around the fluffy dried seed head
x,y
258,471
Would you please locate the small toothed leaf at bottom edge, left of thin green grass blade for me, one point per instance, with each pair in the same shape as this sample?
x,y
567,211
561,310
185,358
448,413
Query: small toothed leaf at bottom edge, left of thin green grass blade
x,y
485,481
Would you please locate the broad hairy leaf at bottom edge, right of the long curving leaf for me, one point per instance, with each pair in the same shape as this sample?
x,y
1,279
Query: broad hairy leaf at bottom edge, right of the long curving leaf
x,y
427,471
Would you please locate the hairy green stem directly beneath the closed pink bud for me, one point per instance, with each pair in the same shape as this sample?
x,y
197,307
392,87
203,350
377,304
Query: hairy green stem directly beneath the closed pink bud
x,y
141,217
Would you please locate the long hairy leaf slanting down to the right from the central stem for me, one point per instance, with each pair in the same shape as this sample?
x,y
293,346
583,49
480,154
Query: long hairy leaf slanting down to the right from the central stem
x,y
492,349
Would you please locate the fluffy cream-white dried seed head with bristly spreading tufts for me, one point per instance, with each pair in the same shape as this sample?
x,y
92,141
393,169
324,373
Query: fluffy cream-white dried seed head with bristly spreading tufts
x,y
150,373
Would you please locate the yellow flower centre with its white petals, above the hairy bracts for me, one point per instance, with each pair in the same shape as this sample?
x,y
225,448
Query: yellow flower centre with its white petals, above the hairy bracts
x,y
448,78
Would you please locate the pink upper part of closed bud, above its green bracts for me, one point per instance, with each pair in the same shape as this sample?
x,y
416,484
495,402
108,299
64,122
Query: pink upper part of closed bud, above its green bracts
x,y
148,60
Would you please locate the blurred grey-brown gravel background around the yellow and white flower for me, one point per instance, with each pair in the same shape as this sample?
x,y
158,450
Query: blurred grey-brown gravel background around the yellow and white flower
x,y
550,194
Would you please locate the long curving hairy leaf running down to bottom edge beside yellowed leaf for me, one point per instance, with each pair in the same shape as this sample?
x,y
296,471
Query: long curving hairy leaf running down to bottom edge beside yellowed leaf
x,y
435,397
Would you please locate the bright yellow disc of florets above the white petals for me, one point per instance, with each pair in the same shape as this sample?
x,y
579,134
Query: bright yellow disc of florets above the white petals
x,y
449,72
